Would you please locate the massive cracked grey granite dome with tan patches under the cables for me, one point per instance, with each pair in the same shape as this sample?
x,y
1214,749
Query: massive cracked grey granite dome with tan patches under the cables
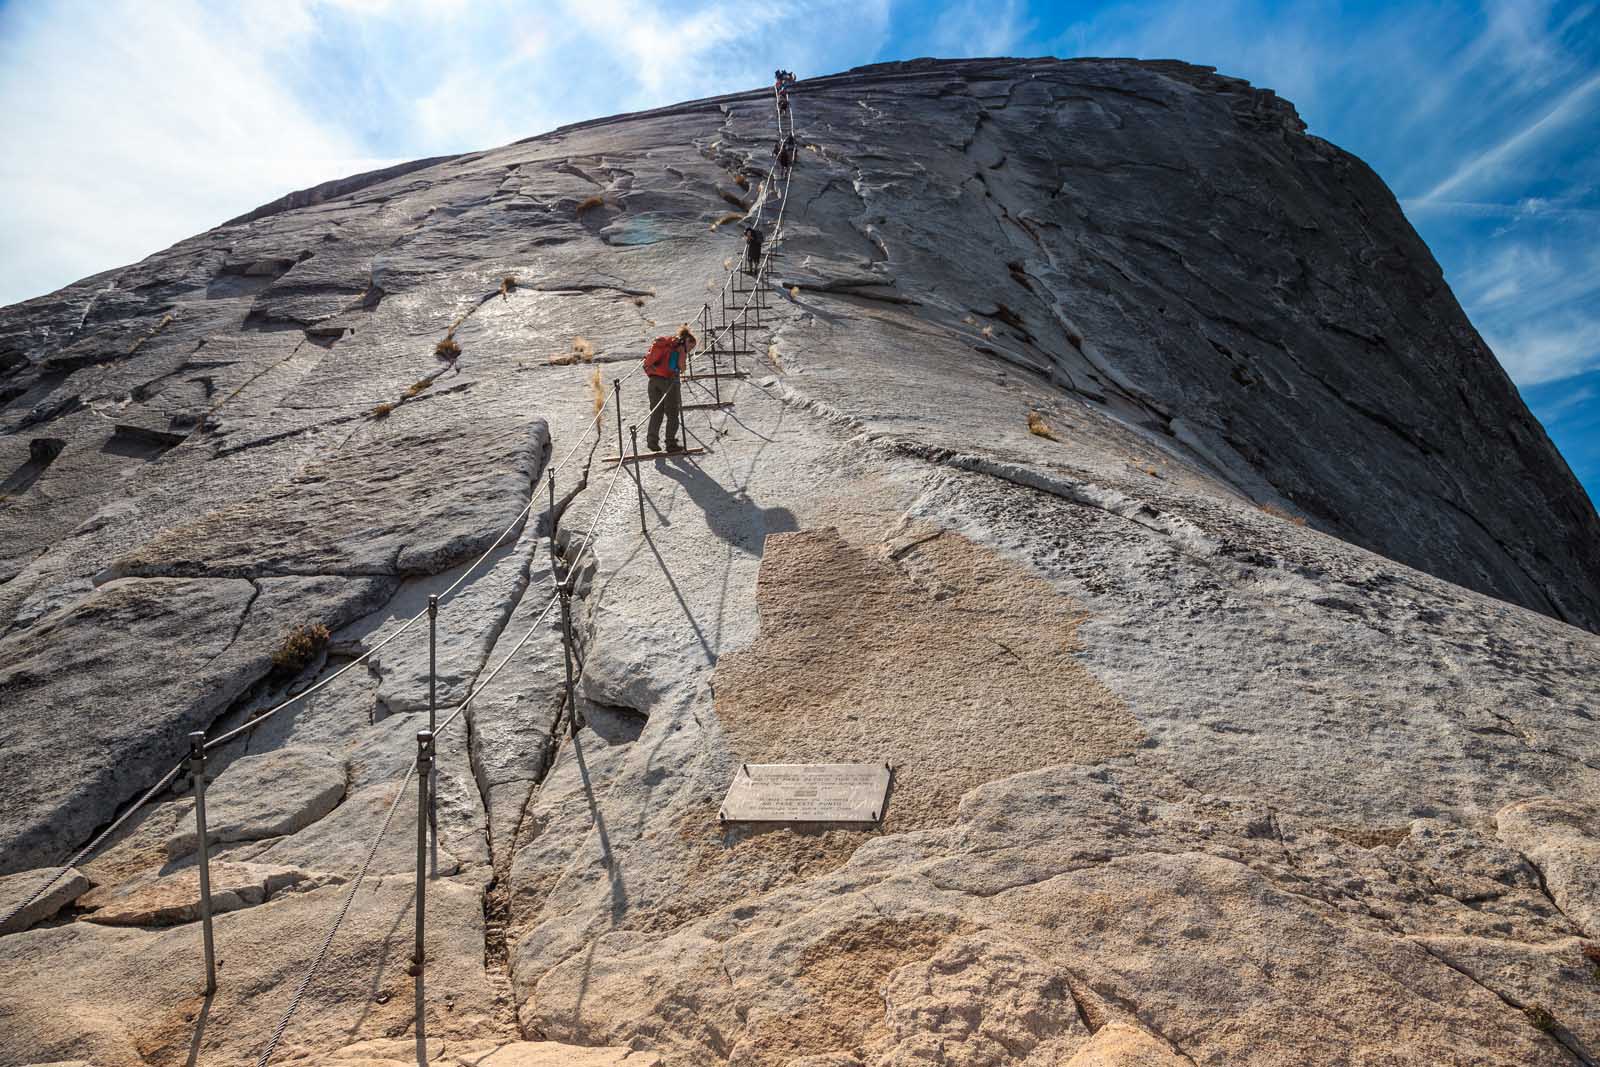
x,y
1113,463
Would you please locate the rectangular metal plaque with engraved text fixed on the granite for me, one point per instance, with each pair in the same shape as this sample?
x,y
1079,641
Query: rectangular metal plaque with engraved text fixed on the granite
x,y
807,793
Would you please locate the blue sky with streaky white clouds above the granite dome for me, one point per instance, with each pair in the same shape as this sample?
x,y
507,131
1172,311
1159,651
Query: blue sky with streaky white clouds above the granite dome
x,y
132,124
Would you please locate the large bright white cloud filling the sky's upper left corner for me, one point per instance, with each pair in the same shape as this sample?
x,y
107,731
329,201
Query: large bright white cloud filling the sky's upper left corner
x,y
132,124
